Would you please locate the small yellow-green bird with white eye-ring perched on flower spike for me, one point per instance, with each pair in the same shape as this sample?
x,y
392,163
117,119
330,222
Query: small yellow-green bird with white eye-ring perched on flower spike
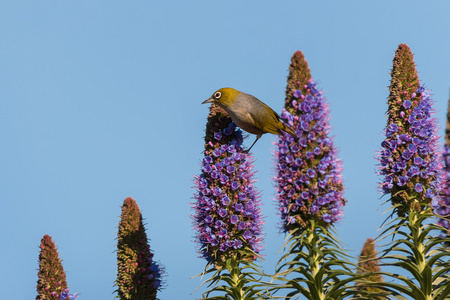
x,y
249,113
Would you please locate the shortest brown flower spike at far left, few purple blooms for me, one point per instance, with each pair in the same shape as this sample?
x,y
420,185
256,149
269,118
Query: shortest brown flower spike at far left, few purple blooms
x,y
52,282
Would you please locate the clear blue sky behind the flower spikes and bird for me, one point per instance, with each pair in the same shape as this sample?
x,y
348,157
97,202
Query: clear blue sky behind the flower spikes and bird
x,y
100,100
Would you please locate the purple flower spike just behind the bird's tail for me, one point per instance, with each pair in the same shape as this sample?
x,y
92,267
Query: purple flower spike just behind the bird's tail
x,y
308,171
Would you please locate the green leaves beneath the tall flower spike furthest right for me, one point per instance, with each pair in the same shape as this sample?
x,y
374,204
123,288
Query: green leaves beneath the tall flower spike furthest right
x,y
417,249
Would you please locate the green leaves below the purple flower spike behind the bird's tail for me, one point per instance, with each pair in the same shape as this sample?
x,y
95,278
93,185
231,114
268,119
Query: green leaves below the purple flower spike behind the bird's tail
x,y
315,265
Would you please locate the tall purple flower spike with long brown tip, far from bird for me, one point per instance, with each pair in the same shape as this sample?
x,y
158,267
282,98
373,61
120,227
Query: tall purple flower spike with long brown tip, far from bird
x,y
409,158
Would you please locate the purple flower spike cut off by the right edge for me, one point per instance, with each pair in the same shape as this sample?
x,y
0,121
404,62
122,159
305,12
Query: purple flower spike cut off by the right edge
x,y
444,209
